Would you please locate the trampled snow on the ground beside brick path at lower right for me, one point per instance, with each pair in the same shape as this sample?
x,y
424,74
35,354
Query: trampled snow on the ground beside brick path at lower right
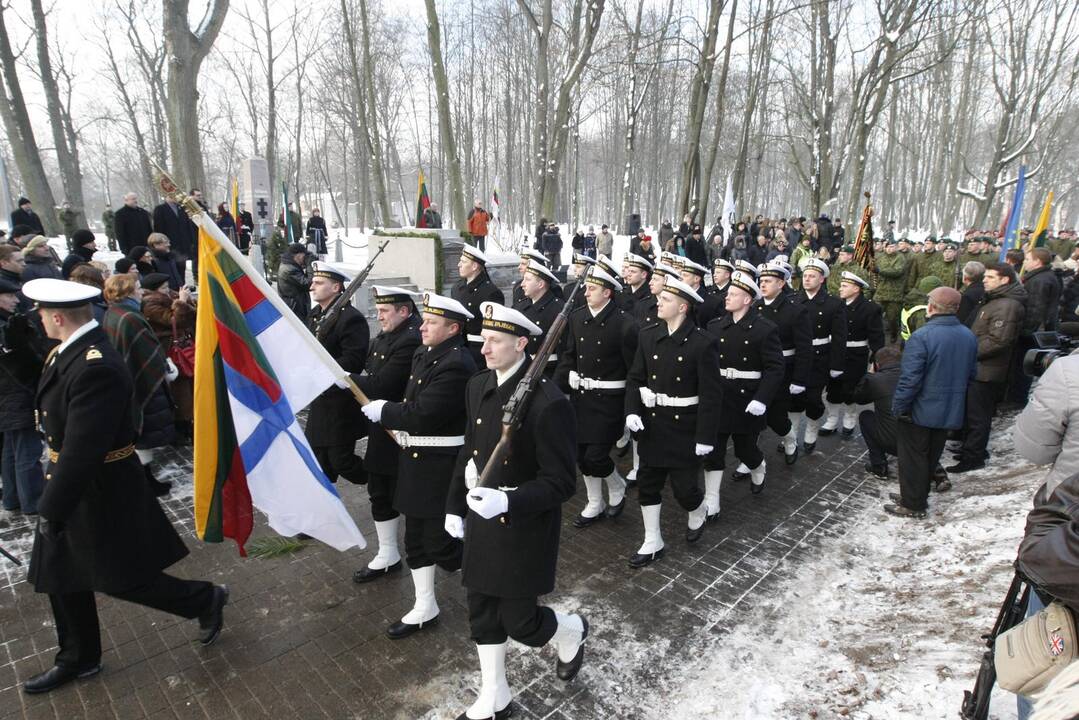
x,y
886,623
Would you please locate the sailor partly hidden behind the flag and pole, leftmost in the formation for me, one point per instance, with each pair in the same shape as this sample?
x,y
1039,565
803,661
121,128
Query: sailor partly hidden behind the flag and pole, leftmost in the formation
x,y
335,422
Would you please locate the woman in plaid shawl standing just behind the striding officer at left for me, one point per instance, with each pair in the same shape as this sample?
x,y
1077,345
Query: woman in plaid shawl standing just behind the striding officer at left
x,y
130,334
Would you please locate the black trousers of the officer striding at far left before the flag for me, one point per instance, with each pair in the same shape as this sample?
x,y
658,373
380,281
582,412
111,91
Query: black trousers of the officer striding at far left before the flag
x,y
79,634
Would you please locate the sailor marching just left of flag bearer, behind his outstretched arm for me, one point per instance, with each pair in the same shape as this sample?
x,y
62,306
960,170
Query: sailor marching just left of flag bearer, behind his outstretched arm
x,y
385,378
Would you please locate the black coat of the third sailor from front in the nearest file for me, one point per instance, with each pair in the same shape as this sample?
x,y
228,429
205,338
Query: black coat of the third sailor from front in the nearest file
x,y
752,345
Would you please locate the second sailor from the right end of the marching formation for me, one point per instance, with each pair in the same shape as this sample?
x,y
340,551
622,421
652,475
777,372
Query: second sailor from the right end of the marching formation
x,y
828,319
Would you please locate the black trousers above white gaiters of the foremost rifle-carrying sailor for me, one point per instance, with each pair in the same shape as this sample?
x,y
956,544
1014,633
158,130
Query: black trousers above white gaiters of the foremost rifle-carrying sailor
x,y
494,619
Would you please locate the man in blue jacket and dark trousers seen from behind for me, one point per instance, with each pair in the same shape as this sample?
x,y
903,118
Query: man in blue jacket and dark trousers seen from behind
x,y
939,362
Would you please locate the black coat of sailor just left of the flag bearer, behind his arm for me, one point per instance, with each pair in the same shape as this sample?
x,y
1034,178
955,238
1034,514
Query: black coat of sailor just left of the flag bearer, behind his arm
x,y
389,364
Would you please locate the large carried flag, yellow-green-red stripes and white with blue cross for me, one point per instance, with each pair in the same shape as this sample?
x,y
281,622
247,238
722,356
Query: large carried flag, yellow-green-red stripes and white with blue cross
x,y
256,365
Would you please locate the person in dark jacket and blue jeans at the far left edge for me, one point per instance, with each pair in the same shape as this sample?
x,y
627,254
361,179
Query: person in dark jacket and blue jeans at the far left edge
x,y
22,357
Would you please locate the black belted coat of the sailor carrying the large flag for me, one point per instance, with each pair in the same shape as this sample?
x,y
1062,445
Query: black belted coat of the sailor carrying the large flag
x,y
432,406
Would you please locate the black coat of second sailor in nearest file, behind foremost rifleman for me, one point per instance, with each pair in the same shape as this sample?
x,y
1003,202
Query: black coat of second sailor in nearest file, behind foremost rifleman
x,y
680,365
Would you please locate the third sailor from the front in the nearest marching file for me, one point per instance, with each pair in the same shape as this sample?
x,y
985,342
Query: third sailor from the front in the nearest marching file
x,y
752,373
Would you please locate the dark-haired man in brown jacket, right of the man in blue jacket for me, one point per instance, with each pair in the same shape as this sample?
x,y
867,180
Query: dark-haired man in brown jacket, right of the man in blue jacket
x,y
998,323
